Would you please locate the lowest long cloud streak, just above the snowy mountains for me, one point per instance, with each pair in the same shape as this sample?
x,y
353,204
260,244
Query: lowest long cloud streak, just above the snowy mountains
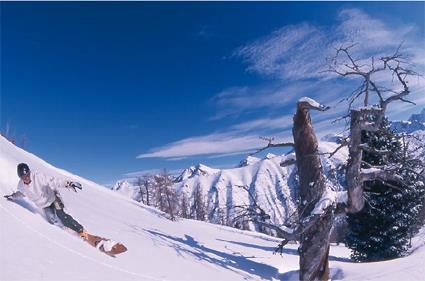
x,y
238,142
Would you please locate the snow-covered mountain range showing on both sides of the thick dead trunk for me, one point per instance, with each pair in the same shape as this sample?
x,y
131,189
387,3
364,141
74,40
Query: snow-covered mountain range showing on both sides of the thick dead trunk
x,y
272,185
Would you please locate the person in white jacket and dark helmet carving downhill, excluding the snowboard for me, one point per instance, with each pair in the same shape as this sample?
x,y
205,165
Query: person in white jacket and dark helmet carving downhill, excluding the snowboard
x,y
43,191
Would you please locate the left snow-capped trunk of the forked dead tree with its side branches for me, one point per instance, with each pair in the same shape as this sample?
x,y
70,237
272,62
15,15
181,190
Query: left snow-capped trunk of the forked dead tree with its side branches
x,y
315,212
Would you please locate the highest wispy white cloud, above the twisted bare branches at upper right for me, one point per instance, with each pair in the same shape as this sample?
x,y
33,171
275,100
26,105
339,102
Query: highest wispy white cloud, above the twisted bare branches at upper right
x,y
299,52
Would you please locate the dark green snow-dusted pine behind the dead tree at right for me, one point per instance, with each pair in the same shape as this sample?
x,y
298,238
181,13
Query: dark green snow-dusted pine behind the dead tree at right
x,y
383,228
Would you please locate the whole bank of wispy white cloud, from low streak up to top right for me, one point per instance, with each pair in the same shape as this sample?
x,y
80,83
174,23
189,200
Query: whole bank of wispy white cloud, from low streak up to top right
x,y
294,58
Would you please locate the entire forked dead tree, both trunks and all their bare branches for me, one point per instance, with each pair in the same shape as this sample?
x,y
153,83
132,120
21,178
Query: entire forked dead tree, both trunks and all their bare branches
x,y
316,211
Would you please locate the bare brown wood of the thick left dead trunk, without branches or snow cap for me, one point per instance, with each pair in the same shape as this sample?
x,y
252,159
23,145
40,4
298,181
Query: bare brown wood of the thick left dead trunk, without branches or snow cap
x,y
314,248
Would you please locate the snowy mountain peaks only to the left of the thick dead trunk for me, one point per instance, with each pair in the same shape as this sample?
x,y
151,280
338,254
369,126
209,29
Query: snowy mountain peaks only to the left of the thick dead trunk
x,y
222,191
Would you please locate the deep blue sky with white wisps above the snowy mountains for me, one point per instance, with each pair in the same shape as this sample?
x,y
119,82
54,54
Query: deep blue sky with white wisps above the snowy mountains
x,y
108,89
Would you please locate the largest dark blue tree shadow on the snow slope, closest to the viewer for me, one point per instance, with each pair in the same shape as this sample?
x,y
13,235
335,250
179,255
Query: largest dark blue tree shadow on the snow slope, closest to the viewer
x,y
232,262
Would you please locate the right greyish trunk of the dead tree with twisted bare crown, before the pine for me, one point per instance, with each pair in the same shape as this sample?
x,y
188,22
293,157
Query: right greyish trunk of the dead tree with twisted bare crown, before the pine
x,y
369,118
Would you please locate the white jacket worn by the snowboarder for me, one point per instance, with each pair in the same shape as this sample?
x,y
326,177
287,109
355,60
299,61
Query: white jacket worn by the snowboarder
x,y
42,189
